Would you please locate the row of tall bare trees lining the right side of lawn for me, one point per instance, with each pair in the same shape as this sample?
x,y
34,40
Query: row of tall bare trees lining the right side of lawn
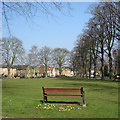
x,y
98,39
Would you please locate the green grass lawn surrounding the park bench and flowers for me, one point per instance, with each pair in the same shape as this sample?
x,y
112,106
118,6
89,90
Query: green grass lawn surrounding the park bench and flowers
x,y
21,96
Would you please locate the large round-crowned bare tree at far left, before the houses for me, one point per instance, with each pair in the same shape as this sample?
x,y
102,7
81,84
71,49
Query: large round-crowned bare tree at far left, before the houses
x,y
12,49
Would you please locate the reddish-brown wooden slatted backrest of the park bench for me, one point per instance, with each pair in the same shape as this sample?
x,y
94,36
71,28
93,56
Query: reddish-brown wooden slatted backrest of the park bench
x,y
67,91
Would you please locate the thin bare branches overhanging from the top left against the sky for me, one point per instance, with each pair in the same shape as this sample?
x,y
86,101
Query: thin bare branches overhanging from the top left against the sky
x,y
29,10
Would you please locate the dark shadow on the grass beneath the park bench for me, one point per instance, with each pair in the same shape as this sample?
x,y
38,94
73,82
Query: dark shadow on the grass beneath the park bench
x,y
61,102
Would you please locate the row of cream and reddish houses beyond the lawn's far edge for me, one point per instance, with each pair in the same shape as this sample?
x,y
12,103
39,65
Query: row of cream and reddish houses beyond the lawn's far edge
x,y
31,71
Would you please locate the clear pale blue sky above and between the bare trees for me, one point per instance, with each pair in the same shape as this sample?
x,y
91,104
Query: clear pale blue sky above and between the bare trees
x,y
60,31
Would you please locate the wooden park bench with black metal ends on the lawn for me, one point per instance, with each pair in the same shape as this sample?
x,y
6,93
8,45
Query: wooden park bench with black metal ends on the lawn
x,y
63,92
